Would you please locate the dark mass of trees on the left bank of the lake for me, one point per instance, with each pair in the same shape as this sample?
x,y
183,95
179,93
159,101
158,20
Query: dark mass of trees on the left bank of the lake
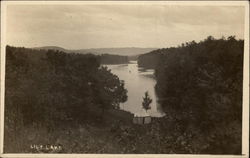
x,y
49,88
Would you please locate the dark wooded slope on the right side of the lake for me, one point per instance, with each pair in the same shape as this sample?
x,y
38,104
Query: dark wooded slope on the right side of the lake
x,y
199,86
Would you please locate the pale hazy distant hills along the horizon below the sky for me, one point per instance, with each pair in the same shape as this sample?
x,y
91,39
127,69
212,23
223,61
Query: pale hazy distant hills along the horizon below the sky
x,y
126,51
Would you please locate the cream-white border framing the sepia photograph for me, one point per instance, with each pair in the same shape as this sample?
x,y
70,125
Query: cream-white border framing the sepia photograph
x,y
245,109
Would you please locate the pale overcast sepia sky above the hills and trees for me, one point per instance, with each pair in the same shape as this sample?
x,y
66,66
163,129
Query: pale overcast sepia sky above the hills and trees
x,y
98,26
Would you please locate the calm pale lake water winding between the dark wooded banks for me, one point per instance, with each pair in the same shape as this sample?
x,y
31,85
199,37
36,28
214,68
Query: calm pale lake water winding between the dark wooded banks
x,y
137,82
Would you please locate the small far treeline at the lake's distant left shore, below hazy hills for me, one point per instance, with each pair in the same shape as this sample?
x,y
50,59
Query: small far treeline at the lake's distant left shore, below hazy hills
x,y
113,59
